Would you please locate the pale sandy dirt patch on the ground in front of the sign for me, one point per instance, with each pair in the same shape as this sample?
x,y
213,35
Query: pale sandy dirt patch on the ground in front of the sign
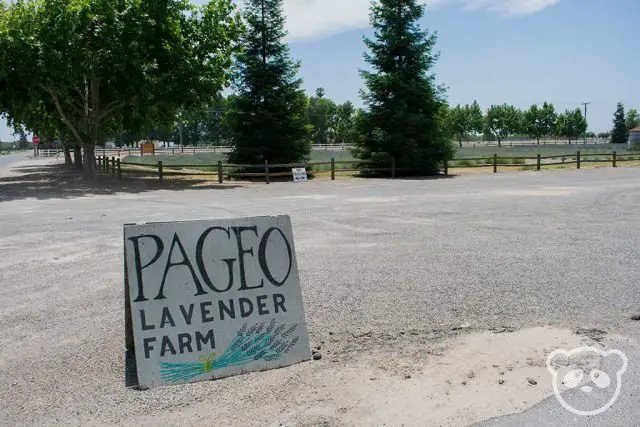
x,y
454,382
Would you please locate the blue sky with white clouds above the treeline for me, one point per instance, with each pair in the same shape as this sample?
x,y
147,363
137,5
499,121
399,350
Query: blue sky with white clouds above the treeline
x,y
516,51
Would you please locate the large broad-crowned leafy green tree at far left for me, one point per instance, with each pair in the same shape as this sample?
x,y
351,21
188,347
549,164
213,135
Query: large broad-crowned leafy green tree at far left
x,y
105,64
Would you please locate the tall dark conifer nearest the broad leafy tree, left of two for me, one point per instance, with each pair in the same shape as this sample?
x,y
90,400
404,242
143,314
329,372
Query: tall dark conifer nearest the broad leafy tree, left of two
x,y
268,115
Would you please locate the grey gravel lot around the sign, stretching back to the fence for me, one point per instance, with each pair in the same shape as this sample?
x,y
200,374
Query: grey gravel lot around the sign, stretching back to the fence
x,y
377,259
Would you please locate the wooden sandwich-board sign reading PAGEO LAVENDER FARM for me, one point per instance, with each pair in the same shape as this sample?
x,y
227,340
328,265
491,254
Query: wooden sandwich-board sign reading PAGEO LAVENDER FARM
x,y
210,299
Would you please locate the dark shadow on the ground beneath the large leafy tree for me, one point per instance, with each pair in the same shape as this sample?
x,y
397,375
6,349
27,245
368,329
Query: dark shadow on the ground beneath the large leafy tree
x,y
59,182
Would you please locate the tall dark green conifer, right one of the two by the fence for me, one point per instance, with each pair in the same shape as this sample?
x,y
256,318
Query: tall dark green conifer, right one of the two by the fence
x,y
406,109
